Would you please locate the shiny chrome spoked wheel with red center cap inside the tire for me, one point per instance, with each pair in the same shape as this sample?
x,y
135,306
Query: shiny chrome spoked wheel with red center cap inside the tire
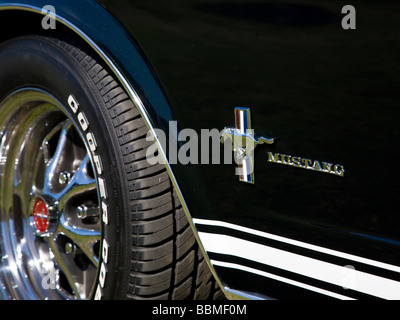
x,y
49,205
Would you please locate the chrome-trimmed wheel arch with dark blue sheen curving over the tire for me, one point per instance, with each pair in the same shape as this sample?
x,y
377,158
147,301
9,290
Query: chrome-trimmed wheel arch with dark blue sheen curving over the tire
x,y
91,24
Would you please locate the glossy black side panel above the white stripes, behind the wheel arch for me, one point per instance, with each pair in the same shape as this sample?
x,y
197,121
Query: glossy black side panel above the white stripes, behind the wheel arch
x,y
330,95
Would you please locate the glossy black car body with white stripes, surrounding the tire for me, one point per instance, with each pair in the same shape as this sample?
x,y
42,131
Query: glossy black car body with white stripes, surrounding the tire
x,y
329,96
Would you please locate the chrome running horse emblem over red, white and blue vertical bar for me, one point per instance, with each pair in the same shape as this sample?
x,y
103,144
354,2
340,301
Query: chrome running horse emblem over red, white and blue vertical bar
x,y
244,142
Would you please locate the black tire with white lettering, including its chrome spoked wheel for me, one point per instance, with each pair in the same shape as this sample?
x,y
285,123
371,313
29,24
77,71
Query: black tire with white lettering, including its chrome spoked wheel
x,y
73,150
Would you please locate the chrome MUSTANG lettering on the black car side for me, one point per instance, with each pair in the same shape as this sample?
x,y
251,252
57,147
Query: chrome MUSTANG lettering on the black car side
x,y
305,163
